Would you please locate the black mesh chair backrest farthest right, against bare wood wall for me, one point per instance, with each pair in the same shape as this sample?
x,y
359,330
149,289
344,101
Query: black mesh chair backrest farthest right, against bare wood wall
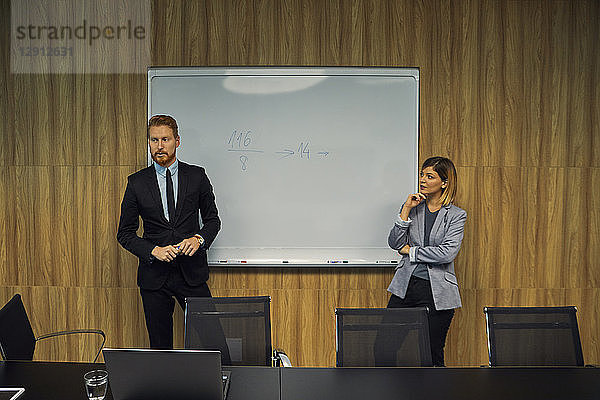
x,y
528,336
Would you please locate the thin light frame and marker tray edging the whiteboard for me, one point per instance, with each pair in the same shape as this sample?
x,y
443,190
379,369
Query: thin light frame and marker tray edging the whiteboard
x,y
354,261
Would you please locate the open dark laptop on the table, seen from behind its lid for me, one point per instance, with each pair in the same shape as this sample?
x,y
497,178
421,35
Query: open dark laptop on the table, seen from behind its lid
x,y
166,374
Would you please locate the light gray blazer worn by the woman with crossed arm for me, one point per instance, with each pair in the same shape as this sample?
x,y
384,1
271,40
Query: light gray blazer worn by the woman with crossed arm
x,y
444,242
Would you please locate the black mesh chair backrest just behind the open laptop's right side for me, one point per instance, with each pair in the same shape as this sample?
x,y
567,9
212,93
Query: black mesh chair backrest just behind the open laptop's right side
x,y
240,327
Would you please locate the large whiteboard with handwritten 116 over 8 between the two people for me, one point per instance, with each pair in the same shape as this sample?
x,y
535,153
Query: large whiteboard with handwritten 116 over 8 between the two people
x,y
309,165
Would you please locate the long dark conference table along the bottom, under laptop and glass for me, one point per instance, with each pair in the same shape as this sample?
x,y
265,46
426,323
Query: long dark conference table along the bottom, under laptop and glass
x,y
62,380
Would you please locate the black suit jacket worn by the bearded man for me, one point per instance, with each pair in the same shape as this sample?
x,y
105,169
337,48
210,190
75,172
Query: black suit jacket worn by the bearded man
x,y
142,199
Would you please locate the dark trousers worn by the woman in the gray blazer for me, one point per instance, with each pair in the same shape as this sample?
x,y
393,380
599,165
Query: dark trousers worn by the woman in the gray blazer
x,y
419,294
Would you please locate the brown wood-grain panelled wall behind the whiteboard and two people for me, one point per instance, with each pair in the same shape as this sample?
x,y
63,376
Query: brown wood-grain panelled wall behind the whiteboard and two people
x,y
509,90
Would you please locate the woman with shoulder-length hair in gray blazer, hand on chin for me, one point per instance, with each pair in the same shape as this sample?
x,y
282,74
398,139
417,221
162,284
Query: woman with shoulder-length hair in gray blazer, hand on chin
x,y
428,235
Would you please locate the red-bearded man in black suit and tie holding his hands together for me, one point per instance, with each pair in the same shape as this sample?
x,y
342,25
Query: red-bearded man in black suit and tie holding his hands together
x,y
170,196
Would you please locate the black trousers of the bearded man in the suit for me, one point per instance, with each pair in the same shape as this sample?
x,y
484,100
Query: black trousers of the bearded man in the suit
x,y
159,306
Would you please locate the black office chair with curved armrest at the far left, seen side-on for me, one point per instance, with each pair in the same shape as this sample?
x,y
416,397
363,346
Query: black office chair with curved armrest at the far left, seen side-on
x,y
17,341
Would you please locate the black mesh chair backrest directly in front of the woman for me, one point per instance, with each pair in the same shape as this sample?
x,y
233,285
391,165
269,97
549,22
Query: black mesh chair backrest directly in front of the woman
x,y
382,337
